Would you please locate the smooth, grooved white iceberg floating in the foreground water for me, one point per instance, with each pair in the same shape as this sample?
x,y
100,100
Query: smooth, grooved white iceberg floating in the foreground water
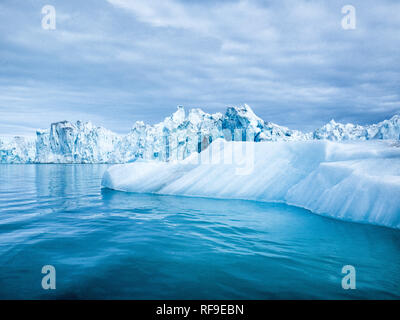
x,y
352,181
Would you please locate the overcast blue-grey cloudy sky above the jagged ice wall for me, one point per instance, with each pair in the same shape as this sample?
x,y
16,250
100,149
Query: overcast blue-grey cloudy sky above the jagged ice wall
x,y
117,61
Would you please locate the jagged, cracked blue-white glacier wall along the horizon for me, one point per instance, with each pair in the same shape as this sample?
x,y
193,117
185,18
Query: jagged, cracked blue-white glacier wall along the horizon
x,y
175,138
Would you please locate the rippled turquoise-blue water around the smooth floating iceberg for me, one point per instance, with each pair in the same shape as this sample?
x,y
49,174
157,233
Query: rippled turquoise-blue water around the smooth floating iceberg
x,y
108,244
